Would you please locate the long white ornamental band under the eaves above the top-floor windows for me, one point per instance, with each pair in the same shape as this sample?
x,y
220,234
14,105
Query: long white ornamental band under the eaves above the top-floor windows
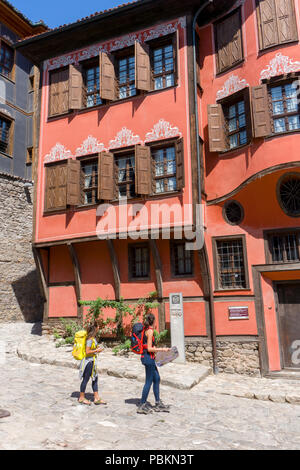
x,y
116,44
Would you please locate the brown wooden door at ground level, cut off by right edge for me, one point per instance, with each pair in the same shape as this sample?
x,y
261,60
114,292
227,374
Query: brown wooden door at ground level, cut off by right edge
x,y
289,323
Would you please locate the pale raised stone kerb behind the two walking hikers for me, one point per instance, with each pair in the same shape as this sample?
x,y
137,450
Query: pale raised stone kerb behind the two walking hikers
x,y
180,376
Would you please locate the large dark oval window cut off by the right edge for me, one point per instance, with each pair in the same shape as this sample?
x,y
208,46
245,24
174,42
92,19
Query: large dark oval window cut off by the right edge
x,y
289,194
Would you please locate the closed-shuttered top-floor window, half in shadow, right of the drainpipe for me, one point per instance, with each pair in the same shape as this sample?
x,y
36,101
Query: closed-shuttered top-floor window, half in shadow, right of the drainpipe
x,y
228,39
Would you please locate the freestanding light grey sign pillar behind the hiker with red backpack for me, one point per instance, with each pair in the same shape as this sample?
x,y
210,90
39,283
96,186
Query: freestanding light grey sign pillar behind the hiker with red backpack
x,y
177,325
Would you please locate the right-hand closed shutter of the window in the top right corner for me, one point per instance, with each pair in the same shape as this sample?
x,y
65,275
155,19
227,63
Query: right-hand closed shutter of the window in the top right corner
x,y
286,21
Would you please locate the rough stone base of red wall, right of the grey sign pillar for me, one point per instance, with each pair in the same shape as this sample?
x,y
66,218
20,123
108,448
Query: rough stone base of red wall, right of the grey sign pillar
x,y
233,357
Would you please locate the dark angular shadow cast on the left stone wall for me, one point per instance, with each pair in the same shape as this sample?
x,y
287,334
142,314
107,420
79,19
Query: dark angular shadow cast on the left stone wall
x,y
28,295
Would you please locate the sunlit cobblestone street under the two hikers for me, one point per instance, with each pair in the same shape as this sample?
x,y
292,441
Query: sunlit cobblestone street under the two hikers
x,y
42,400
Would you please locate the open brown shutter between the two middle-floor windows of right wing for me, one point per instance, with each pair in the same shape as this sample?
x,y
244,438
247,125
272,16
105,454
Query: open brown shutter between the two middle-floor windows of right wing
x,y
261,111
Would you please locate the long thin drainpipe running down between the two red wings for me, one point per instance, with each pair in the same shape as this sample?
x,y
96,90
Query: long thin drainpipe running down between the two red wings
x,y
201,224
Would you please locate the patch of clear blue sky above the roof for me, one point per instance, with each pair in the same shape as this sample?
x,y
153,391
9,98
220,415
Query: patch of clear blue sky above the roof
x,y
57,12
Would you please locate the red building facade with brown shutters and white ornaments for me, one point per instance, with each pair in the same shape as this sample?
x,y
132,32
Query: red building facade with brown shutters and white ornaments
x,y
120,153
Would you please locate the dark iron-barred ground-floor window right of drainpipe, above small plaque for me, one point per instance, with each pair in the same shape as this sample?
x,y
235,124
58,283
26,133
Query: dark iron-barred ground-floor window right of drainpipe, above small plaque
x,y
231,264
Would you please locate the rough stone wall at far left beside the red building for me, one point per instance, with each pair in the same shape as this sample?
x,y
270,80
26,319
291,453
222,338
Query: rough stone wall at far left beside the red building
x,y
19,290
